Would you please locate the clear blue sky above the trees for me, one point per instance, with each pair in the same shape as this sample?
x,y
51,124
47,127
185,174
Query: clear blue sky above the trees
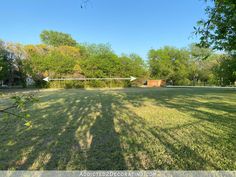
x,y
129,26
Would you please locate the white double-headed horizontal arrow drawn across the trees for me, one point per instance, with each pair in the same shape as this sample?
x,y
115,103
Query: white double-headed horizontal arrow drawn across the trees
x,y
47,79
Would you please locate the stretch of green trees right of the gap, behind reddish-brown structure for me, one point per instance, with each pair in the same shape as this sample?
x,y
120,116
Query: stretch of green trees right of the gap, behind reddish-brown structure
x,y
194,66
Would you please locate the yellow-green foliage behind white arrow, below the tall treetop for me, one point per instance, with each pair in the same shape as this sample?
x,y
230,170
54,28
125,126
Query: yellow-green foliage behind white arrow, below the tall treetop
x,y
90,61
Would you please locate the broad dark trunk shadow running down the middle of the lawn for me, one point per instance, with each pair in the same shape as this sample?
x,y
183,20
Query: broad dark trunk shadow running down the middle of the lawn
x,y
105,152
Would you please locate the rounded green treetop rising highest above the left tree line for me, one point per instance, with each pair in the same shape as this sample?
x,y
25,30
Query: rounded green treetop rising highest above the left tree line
x,y
56,39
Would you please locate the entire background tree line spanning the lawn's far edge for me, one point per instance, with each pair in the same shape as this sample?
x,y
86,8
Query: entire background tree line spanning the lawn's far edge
x,y
60,55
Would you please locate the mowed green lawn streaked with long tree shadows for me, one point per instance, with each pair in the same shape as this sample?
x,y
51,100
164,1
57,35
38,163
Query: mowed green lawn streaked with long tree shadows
x,y
168,128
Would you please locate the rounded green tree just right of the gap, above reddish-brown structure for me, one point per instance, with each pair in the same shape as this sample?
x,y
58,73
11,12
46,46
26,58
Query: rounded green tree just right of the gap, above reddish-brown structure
x,y
169,63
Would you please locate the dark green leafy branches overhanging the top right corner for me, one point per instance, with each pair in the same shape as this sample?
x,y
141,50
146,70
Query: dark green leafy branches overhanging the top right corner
x,y
219,30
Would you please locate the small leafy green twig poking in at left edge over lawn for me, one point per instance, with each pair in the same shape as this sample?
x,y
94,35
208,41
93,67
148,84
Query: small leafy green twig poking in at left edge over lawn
x,y
20,103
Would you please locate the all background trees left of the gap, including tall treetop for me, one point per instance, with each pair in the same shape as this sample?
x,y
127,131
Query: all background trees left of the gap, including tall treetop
x,y
60,55
